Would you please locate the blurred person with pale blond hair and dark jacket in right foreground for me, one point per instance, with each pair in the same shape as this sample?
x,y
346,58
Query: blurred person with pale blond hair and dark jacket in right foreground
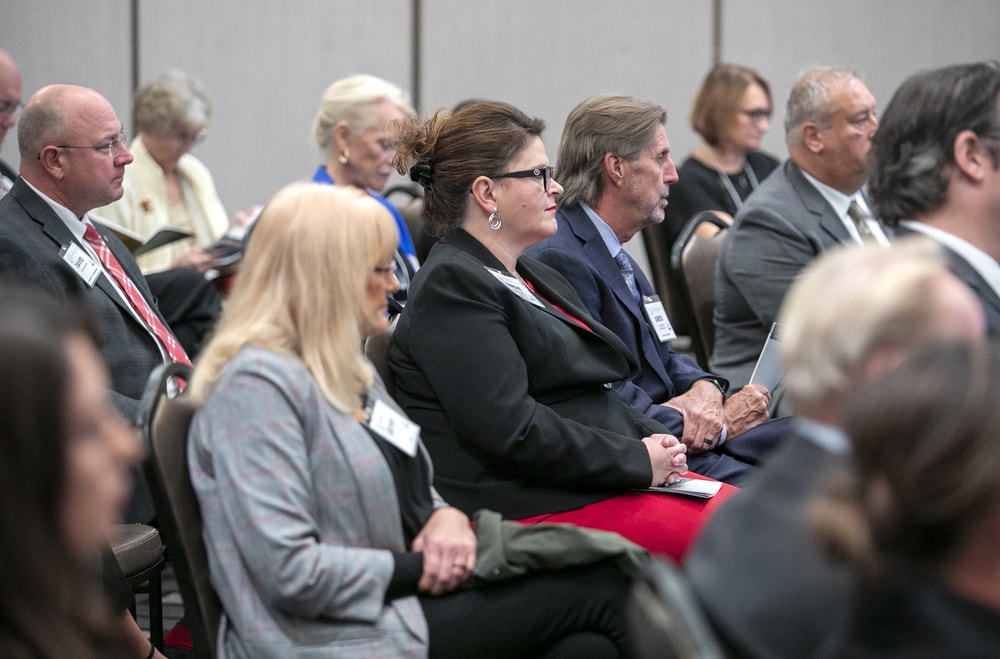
x,y
855,313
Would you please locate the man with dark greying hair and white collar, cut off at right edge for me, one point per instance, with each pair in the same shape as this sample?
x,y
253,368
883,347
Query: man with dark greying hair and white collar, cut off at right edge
x,y
936,170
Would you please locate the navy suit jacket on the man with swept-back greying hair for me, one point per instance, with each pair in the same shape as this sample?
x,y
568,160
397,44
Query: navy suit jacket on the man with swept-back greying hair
x,y
580,255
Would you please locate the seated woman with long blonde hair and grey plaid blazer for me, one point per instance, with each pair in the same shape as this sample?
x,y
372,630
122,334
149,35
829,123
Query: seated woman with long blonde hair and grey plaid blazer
x,y
324,534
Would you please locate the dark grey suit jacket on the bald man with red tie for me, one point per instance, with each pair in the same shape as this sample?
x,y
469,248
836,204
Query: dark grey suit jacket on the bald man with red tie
x,y
31,235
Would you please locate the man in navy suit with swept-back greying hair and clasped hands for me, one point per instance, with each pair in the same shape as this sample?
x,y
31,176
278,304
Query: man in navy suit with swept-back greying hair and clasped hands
x,y
614,164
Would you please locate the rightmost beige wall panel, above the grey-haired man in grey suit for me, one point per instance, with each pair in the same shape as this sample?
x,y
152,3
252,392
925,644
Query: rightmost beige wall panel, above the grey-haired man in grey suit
x,y
885,41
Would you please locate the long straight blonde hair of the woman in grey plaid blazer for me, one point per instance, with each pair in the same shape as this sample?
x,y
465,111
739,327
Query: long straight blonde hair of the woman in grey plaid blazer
x,y
302,288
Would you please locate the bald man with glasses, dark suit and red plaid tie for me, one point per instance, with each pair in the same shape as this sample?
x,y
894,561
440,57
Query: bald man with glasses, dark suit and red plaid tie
x,y
73,159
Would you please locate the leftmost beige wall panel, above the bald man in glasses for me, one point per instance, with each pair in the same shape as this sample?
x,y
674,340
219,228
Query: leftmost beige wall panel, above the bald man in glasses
x,y
83,43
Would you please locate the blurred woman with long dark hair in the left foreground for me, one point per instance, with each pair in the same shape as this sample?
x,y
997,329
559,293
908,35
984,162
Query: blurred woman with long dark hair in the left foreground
x,y
64,479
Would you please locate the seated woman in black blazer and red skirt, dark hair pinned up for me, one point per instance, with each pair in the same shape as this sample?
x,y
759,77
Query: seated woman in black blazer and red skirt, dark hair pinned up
x,y
498,360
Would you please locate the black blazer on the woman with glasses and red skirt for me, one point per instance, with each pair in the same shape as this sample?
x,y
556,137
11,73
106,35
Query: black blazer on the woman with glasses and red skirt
x,y
515,400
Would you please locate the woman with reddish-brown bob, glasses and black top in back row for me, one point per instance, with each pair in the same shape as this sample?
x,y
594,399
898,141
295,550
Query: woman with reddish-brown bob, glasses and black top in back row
x,y
731,112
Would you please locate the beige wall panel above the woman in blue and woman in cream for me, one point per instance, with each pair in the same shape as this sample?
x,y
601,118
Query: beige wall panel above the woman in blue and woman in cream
x,y
266,64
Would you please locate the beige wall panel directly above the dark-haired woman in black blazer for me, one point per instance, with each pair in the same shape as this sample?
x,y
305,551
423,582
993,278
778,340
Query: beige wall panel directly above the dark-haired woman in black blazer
x,y
547,57
